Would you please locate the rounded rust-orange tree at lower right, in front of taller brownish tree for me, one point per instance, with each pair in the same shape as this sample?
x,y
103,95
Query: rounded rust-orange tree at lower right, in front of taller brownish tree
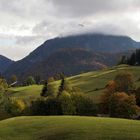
x,y
122,105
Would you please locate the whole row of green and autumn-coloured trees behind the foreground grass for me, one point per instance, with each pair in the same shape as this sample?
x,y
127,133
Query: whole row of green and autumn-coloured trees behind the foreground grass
x,y
121,98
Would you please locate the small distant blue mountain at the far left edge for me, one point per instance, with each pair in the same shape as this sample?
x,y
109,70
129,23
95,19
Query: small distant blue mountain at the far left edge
x,y
4,63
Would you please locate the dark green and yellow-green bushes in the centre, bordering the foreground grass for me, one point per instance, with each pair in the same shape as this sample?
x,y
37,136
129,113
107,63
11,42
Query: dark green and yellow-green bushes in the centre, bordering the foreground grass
x,y
66,104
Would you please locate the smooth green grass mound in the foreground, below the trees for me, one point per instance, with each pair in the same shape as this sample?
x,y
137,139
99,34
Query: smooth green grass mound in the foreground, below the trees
x,y
69,128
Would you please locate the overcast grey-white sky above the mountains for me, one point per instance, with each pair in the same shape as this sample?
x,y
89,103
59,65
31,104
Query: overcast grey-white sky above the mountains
x,y
25,24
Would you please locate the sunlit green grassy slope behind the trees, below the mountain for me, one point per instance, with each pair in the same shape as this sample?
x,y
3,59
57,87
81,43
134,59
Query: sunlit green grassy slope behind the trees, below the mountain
x,y
87,82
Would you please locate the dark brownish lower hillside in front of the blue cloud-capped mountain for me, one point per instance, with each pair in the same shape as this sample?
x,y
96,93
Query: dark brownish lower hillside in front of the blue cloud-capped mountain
x,y
72,62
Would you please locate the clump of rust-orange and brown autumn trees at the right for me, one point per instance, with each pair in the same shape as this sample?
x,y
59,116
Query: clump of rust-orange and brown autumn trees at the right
x,y
118,99
